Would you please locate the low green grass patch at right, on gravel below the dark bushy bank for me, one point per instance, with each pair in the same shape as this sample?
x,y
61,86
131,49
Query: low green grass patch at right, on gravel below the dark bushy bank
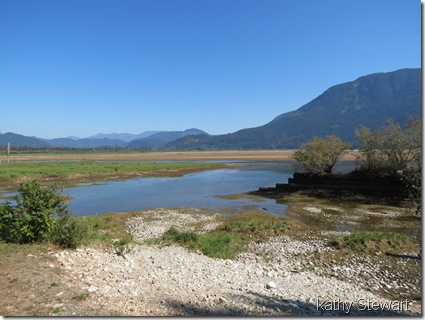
x,y
372,241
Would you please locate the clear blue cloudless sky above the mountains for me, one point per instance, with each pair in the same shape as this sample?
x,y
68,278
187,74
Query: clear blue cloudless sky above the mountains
x,y
80,67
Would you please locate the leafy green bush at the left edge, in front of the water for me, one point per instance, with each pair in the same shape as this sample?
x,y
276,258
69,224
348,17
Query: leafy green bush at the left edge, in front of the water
x,y
41,213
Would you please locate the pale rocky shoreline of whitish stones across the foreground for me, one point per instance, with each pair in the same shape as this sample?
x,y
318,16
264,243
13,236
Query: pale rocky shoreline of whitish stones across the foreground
x,y
283,277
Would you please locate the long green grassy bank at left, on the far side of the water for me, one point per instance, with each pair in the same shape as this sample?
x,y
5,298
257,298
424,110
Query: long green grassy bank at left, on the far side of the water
x,y
86,168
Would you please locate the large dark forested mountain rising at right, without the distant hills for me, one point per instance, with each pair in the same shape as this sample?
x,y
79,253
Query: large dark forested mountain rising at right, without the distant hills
x,y
367,101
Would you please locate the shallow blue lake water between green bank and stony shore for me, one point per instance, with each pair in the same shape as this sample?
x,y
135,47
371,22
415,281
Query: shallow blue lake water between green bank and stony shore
x,y
197,189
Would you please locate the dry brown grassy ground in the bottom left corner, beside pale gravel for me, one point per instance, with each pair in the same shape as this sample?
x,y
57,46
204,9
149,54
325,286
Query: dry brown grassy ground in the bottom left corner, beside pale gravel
x,y
32,283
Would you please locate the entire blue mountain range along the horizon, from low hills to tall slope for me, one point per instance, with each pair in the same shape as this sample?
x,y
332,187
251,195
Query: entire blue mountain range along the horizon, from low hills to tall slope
x,y
367,101
